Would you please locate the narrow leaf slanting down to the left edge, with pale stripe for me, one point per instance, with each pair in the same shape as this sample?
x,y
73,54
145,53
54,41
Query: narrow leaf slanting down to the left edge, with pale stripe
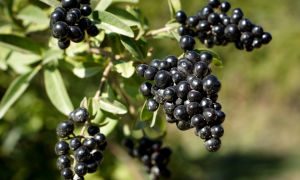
x,y
16,89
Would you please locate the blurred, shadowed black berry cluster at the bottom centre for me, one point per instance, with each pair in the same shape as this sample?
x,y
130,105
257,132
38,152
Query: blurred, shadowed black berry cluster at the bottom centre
x,y
152,155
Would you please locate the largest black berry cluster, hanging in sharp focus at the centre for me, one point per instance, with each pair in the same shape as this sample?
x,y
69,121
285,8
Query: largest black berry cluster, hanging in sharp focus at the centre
x,y
188,93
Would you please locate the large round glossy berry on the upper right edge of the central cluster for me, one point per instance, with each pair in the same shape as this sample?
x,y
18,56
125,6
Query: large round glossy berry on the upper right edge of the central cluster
x,y
211,84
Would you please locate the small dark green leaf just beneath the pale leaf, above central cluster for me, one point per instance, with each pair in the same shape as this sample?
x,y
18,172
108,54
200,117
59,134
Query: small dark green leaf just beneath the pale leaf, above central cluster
x,y
132,46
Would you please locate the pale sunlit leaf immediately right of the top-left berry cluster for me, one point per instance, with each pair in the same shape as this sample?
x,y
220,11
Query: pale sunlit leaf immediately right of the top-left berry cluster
x,y
112,23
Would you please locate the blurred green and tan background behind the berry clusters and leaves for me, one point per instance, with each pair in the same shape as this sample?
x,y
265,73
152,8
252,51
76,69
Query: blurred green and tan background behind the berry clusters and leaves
x,y
260,95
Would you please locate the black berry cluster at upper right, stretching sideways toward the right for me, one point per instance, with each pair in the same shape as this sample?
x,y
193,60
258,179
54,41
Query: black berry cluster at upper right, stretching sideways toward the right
x,y
213,28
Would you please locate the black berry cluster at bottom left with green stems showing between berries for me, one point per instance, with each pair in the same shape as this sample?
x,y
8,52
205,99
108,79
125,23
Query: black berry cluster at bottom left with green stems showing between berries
x,y
87,150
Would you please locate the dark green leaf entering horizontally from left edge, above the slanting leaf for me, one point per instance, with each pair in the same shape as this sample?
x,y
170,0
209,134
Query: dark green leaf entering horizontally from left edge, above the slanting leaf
x,y
21,44
